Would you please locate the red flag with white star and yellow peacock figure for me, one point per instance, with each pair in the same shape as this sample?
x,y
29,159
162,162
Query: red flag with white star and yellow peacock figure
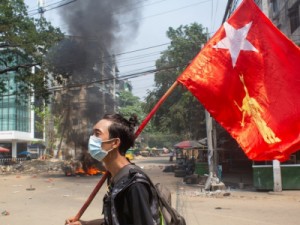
x,y
248,78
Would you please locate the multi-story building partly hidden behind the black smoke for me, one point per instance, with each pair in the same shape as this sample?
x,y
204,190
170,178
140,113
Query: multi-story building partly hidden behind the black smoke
x,y
89,93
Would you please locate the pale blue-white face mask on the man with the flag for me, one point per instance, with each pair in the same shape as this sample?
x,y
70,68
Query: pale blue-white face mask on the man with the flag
x,y
95,148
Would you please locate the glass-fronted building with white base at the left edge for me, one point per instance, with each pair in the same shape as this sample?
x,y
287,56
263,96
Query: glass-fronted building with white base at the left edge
x,y
17,118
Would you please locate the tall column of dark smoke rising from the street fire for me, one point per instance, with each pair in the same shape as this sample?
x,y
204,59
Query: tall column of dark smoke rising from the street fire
x,y
96,29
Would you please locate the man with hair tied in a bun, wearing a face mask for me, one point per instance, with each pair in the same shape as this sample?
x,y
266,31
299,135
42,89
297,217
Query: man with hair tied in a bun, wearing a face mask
x,y
130,198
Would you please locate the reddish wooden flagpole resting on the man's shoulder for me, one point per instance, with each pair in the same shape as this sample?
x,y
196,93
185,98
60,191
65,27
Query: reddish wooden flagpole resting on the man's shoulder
x,y
139,130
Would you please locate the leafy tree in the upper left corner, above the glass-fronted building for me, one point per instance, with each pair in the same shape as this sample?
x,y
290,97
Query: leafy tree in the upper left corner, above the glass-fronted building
x,y
24,42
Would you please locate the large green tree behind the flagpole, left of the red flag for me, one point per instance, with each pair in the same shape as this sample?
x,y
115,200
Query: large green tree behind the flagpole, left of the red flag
x,y
181,113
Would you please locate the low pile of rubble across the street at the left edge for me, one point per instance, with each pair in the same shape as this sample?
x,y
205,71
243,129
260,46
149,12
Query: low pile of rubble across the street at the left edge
x,y
35,166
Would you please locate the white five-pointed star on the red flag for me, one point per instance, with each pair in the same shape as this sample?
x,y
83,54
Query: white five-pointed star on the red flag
x,y
235,41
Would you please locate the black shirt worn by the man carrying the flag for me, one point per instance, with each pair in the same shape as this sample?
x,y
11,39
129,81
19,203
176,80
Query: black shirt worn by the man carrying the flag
x,y
132,202
